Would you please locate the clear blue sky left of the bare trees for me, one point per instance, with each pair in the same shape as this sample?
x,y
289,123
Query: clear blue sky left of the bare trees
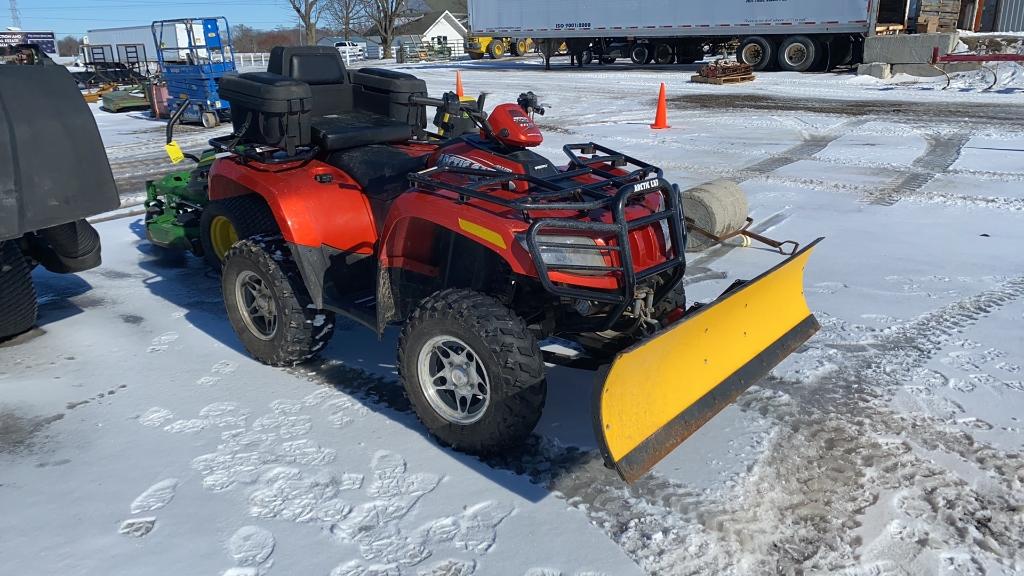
x,y
77,17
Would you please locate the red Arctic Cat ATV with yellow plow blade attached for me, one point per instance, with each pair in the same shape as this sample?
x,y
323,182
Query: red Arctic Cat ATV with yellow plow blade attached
x,y
492,259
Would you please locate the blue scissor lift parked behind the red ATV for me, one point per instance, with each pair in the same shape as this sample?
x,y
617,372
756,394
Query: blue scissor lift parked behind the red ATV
x,y
194,54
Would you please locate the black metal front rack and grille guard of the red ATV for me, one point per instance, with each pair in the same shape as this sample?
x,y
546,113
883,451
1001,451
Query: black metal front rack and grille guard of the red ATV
x,y
564,192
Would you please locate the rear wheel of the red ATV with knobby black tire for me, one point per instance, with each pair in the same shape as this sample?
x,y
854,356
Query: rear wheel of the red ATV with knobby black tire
x,y
300,331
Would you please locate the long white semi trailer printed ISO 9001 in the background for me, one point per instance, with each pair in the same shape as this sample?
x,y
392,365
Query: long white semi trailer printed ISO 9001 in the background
x,y
793,35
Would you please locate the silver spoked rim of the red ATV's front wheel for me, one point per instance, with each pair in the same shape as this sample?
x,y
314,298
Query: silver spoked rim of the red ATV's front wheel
x,y
454,381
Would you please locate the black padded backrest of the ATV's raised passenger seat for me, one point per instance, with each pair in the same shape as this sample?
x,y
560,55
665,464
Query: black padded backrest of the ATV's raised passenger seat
x,y
323,69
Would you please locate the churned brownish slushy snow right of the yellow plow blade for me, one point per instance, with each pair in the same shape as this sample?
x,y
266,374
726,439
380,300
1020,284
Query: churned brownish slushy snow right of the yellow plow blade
x,y
841,449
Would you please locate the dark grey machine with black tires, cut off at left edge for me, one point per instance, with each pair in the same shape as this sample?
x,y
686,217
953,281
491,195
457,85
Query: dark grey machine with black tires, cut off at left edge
x,y
54,174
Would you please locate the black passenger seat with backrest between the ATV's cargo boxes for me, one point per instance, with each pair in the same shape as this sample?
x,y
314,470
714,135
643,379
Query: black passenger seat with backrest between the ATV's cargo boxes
x,y
337,124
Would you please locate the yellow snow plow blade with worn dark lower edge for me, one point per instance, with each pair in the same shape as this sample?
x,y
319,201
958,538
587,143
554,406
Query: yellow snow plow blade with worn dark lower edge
x,y
660,392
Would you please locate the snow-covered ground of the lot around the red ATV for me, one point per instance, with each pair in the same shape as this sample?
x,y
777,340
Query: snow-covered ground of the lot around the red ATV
x,y
138,438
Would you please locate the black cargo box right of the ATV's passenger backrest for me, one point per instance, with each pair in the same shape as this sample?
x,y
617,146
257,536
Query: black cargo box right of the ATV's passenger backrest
x,y
387,93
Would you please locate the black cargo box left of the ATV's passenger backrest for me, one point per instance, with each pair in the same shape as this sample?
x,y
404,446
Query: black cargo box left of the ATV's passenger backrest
x,y
270,109
